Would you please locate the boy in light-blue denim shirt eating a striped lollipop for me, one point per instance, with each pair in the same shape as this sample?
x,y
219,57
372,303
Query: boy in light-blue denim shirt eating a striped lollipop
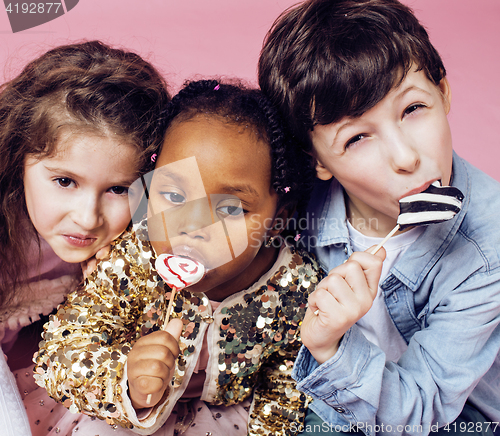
x,y
364,90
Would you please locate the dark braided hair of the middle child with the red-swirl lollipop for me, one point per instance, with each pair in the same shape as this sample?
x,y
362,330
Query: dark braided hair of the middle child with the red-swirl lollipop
x,y
236,103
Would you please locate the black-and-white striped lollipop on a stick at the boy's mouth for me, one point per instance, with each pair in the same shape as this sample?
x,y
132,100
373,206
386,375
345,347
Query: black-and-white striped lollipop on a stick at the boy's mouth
x,y
434,205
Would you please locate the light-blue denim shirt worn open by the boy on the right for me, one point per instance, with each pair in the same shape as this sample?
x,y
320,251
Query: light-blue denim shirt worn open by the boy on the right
x,y
444,298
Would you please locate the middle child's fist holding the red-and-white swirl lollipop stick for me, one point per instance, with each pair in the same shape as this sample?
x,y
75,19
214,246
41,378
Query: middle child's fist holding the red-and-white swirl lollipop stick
x,y
150,364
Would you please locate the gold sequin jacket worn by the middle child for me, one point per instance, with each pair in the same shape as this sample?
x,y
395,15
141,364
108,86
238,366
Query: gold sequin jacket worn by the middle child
x,y
253,339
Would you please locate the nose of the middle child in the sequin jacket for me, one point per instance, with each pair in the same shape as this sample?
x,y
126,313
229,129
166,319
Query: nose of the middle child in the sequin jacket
x,y
193,219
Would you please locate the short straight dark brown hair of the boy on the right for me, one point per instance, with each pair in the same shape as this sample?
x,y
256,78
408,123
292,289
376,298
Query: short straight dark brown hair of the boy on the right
x,y
327,59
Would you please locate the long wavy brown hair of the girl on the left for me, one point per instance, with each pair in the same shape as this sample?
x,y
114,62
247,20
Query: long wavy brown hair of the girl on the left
x,y
86,86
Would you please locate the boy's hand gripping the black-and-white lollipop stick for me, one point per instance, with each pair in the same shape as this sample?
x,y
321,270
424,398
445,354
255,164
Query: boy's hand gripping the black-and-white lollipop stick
x,y
340,300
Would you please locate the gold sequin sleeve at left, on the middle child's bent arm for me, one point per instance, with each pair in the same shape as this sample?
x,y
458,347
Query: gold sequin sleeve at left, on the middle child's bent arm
x,y
85,344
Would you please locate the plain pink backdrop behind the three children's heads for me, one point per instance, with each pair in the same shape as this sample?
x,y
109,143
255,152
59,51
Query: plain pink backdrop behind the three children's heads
x,y
200,38
